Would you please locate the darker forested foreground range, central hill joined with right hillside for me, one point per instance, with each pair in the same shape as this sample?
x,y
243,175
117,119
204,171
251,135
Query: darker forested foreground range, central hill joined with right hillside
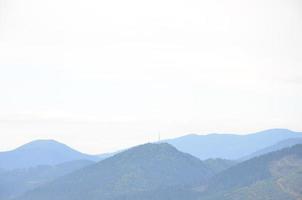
x,y
160,172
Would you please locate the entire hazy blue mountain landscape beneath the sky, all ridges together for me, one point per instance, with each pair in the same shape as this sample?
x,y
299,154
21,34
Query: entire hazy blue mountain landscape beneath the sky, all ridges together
x,y
46,169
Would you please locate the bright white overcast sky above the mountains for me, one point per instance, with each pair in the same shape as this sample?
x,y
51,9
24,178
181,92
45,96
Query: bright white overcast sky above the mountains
x,y
104,75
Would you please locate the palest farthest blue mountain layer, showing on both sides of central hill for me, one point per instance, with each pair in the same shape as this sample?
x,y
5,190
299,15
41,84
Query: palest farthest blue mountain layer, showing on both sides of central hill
x,y
223,146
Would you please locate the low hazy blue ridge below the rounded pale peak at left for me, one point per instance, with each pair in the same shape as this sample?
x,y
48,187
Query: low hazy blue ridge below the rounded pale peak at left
x,y
16,182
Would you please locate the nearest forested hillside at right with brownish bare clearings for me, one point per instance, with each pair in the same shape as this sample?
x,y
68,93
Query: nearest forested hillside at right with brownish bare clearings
x,y
277,175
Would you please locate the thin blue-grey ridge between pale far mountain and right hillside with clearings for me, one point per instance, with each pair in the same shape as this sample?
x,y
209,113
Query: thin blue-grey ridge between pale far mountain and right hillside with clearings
x,y
280,145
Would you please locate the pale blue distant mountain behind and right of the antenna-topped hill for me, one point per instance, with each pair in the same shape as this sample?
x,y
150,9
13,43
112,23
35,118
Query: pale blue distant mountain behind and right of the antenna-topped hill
x,y
230,146
